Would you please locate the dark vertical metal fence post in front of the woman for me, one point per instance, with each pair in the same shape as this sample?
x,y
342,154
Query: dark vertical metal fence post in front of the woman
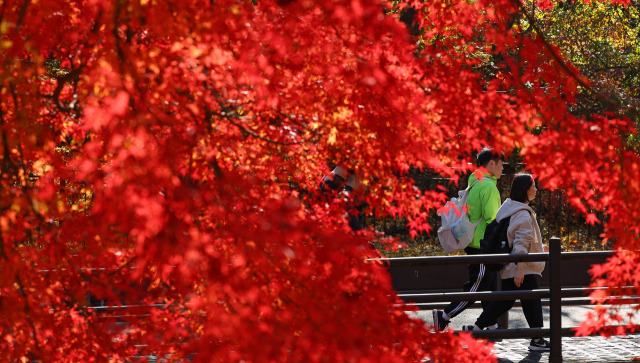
x,y
555,302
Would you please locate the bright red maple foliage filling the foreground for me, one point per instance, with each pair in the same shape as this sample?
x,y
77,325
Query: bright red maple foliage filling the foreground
x,y
149,151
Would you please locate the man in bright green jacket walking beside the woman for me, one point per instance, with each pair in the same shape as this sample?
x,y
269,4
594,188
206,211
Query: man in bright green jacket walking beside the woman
x,y
484,201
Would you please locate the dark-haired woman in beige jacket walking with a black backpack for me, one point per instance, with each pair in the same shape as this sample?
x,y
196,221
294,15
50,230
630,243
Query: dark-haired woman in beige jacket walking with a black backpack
x,y
523,234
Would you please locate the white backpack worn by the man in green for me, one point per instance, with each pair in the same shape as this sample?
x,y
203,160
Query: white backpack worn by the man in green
x,y
457,232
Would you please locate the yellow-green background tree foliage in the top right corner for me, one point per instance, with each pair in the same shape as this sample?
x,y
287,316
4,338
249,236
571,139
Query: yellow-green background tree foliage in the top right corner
x,y
601,40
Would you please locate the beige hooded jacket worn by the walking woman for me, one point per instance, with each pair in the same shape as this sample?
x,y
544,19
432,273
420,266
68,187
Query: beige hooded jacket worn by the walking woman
x,y
523,234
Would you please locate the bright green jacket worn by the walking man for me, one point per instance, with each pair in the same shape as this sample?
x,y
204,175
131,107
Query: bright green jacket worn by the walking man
x,y
484,201
